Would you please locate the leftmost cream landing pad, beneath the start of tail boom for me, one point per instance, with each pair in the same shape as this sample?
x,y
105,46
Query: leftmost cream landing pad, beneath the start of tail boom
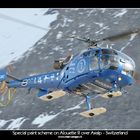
x,y
53,95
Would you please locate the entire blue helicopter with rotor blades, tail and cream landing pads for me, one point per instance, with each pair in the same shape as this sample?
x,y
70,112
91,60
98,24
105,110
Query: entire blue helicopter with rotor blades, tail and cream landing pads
x,y
100,70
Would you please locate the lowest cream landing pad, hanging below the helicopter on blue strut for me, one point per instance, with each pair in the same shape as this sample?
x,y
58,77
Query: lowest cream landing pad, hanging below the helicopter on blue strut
x,y
93,112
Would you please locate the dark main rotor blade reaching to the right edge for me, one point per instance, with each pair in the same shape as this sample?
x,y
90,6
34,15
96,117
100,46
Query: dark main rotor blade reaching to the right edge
x,y
120,36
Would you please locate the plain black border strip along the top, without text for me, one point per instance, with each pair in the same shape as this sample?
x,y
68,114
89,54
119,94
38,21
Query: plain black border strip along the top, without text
x,y
70,3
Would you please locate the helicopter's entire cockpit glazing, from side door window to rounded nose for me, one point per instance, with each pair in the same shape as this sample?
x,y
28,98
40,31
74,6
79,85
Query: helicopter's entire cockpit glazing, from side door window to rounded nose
x,y
111,59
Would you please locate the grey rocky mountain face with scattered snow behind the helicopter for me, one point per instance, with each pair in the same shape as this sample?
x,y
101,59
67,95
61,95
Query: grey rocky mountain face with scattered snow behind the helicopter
x,y
28,112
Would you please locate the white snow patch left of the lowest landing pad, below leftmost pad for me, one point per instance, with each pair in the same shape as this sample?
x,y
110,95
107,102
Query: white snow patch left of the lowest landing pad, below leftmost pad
x,y
43,118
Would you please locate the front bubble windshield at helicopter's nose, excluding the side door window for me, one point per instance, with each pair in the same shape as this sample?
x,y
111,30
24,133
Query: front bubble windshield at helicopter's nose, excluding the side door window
x,y
111,59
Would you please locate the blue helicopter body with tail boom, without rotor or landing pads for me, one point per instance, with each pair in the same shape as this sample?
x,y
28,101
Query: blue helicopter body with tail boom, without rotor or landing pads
x,y
103,67
